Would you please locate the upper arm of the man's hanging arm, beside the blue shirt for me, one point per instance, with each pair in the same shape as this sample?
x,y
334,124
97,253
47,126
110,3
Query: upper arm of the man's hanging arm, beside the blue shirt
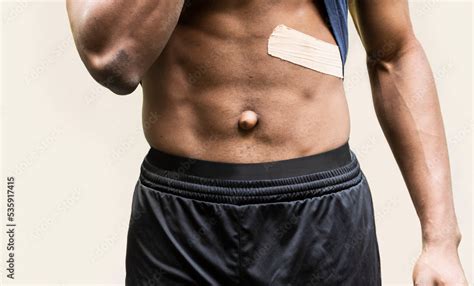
x,y
383,25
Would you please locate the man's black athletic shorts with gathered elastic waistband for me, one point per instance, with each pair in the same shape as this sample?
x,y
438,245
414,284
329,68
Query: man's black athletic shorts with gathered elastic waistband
x,y
303,221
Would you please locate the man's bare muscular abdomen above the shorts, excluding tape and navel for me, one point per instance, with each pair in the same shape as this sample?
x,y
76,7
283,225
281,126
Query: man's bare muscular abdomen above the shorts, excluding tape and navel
x,y
215,67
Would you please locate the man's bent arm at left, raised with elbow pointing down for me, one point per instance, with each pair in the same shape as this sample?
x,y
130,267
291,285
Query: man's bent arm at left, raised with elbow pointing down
x,y
118,40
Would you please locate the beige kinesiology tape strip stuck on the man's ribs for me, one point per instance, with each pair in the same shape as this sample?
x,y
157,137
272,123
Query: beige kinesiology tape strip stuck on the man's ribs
x,y
304,50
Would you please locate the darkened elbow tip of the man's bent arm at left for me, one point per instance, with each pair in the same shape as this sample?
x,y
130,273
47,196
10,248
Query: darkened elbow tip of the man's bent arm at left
x,y
116,72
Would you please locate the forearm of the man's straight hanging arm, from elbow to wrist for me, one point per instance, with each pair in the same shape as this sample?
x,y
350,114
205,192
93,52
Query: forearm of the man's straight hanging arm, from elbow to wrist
x,y
408,110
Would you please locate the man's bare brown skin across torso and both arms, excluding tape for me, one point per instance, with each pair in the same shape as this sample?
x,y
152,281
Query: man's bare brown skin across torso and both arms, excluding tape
x,y
204,64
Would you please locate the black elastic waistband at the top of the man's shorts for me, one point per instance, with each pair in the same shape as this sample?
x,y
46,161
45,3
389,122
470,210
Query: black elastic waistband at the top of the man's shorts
x,y
324,173
